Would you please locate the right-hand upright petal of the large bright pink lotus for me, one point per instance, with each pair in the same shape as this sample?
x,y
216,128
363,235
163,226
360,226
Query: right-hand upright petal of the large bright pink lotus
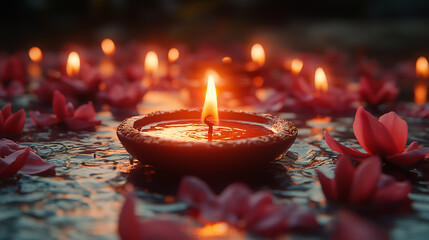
x,y
397,128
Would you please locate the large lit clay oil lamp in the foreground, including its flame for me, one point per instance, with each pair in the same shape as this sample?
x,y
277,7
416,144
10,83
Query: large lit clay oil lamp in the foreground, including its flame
x,y
195,141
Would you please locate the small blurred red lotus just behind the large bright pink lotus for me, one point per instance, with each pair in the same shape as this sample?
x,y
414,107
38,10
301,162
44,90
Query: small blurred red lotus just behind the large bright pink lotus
x,y
376,93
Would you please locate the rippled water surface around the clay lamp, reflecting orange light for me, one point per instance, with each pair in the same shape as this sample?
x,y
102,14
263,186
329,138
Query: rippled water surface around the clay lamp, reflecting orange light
x,y
84,198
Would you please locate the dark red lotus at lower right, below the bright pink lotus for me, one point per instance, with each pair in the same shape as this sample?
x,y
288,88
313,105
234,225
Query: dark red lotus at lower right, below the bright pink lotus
x,y
364,185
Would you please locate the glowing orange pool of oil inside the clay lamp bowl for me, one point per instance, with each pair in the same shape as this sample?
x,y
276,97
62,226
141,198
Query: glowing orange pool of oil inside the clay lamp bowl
x,y
193,130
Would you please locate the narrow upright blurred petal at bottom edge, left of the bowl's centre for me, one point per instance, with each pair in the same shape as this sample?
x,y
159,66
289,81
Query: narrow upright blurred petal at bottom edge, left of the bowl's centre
x,y
129,224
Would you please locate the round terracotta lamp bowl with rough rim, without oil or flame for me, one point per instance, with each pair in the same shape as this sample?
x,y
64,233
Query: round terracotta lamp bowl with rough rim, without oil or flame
x,y
206,157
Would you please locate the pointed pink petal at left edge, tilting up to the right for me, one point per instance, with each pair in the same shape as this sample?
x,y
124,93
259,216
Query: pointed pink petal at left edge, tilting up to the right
x,y
13,162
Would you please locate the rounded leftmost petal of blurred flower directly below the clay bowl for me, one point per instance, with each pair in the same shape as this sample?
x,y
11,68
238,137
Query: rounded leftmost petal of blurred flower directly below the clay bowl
x,y
195,192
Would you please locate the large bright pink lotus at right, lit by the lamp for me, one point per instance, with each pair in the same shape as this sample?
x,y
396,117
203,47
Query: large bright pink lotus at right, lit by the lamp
x,y
385,137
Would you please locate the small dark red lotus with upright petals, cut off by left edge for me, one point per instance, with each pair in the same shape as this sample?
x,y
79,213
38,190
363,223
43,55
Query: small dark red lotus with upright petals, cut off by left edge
x,y
11,123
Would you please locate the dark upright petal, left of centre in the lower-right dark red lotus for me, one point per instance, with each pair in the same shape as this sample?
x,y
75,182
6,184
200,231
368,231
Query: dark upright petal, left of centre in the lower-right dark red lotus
x,y
344,174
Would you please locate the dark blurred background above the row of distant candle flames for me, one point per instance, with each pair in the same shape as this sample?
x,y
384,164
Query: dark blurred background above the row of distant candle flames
x,y
385,26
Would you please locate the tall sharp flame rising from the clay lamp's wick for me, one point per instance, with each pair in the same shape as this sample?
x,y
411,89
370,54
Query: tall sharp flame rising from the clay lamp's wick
x,y
210,103
